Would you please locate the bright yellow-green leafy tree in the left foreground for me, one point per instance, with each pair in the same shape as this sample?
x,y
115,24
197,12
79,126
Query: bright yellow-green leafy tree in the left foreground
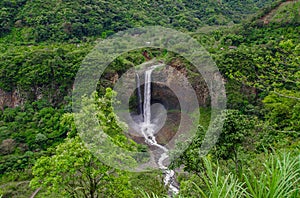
x,y
73,169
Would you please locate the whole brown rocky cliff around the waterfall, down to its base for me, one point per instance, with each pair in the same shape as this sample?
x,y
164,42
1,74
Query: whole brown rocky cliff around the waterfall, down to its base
x,y
178,89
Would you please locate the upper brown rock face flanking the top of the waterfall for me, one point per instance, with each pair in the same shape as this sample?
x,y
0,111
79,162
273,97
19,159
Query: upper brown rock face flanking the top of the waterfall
x,y
172,85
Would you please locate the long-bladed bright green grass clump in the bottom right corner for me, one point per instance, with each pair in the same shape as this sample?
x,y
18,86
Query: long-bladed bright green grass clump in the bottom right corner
x,y
280,178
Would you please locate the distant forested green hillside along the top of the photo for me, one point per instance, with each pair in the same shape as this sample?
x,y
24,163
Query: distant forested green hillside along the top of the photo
x,y
72,20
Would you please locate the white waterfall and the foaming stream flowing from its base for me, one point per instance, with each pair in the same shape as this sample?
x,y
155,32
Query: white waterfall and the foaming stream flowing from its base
x,y
147,129
